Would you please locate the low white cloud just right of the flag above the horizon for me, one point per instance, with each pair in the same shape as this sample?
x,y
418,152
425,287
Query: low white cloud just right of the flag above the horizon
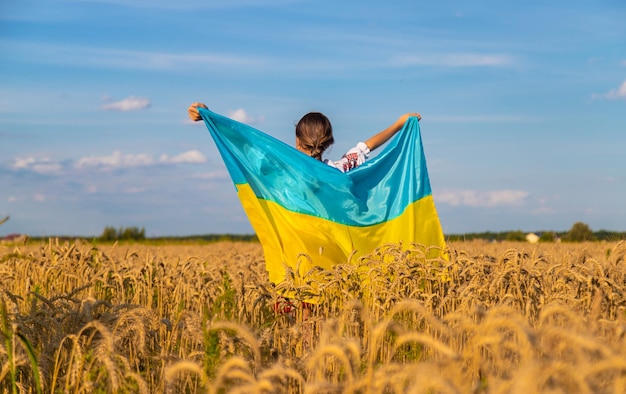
x,y
474,198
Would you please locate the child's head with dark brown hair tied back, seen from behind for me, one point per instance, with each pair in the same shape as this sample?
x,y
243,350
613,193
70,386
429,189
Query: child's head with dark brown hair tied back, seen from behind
x,y
314,134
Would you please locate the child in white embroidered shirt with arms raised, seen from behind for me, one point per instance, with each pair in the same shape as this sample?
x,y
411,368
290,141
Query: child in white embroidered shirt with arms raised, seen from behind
x,y
314,134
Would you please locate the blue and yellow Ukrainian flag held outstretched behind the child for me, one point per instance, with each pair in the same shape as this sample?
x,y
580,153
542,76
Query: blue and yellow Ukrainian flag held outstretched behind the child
x,y
297,204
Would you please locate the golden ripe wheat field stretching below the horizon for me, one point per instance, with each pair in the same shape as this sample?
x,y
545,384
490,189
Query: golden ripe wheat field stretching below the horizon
x,y
198,318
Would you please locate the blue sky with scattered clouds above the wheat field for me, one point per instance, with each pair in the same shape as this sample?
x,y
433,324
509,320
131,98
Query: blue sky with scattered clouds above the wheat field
x,y
523,105
